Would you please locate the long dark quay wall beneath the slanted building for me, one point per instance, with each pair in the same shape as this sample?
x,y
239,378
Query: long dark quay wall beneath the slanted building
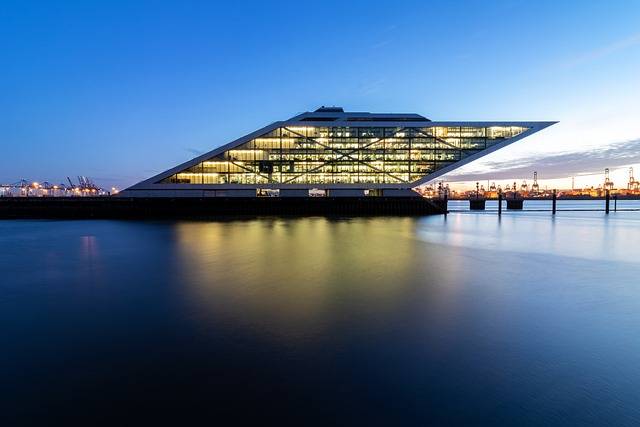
x,y
206,208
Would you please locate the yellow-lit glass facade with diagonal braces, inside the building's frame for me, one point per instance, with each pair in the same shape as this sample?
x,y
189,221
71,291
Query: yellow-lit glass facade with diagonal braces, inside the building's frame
x,y
344,155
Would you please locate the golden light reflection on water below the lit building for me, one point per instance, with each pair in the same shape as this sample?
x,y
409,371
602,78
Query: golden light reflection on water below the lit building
x,y
297,277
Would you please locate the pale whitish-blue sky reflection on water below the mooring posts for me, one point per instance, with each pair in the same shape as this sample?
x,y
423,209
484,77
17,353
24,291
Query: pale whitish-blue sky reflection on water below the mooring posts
x,y
588,235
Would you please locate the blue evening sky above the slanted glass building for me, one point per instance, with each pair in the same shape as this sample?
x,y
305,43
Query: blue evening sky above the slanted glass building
x,y
119,91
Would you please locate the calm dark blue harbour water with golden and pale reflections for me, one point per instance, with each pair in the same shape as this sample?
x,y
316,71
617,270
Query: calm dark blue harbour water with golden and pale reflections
x,y
468,320
